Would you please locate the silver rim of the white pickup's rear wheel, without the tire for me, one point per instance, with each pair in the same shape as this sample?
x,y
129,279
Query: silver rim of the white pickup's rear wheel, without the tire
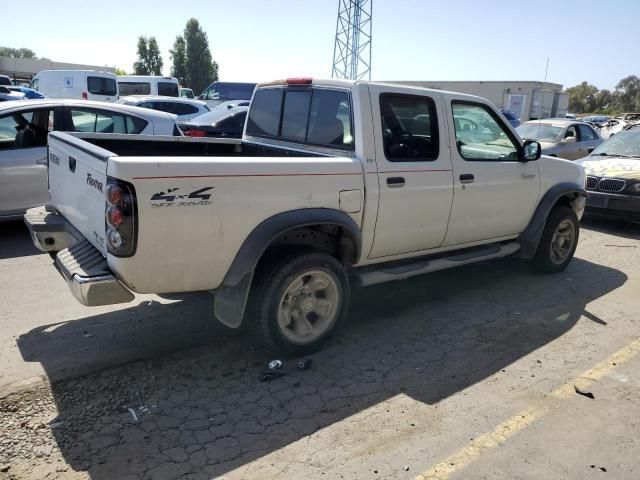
x,y
309,306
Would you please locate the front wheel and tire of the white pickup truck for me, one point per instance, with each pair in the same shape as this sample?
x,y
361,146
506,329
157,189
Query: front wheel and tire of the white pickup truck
x,y
558,241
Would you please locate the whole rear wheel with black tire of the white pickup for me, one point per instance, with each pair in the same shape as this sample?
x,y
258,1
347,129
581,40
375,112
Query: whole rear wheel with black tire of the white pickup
x,y
298,301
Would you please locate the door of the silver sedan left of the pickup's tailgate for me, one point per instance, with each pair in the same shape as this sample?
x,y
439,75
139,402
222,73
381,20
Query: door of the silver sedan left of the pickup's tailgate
x,y
23,160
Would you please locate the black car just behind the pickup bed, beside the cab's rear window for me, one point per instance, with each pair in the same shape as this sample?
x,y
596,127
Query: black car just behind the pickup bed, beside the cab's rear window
x,y
220,122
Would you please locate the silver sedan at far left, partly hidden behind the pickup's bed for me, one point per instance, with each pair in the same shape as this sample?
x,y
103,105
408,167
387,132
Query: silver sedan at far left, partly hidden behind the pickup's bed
x,y
25,125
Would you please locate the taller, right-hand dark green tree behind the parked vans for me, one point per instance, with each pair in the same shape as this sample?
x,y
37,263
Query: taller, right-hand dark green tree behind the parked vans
x,y
200,68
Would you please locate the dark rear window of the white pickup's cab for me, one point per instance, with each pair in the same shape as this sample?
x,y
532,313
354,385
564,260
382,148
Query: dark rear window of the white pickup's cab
x,y
315,116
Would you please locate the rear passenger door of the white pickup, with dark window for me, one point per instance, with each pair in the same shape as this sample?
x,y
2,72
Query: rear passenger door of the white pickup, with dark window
x,y
414,171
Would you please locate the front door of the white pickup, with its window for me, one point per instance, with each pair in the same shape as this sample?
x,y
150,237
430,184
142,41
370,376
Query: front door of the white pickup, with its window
x,y
495,193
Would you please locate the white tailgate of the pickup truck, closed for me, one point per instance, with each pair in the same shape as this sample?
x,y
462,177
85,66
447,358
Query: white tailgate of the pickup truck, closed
x,y
77,180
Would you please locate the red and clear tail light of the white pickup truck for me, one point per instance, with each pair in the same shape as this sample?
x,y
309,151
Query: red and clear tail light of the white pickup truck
x,y
121,220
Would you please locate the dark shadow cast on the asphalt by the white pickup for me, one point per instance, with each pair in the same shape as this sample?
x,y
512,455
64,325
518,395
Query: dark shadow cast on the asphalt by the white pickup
x,y
202,412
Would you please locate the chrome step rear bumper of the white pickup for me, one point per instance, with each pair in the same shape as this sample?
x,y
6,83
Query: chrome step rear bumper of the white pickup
x,y
80,263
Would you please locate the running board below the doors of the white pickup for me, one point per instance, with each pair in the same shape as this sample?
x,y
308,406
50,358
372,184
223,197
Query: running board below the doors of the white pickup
x,y
373,277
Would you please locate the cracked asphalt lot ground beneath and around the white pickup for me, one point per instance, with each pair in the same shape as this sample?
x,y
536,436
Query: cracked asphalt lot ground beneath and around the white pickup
x,y
457,374
